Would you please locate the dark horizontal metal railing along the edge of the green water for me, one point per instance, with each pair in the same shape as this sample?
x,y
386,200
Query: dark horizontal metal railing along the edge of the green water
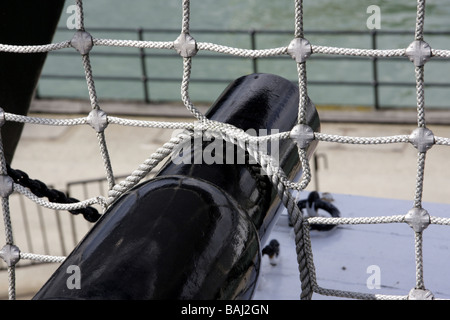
x,y
146,78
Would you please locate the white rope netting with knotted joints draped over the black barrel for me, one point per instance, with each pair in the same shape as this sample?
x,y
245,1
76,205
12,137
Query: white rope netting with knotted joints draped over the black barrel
x,y
187,47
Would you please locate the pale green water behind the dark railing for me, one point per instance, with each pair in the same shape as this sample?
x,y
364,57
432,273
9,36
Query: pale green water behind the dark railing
x,y
259,15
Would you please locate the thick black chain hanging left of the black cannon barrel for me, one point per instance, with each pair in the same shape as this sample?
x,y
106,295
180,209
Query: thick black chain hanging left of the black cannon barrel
x,y
40,189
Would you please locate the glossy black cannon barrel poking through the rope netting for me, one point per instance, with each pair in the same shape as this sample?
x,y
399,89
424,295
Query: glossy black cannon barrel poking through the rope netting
x,y
195,230
